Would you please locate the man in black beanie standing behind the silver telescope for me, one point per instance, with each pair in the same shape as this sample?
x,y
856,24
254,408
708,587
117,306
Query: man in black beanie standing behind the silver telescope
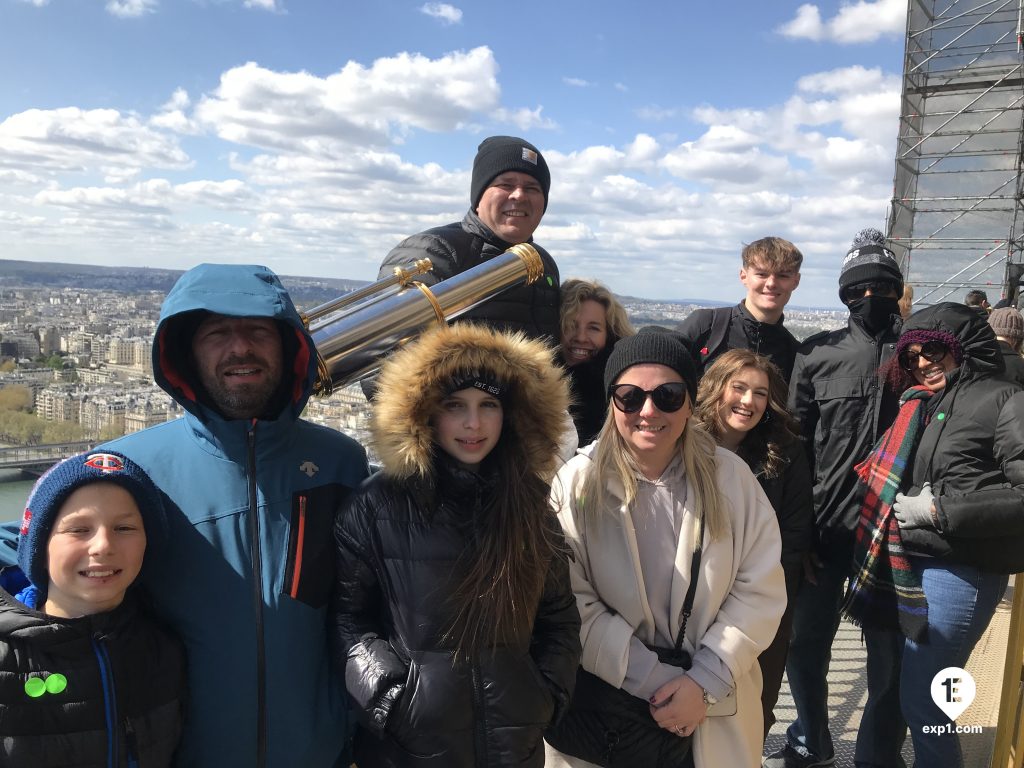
x,y
508,196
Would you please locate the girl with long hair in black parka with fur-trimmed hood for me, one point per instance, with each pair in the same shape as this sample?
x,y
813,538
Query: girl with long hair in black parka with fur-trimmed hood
x,y
454,618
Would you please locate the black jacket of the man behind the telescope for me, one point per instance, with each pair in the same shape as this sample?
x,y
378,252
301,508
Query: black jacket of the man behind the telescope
x,y
461,246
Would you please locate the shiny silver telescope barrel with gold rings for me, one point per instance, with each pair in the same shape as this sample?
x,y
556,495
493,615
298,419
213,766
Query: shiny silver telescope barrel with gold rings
x,y
353,346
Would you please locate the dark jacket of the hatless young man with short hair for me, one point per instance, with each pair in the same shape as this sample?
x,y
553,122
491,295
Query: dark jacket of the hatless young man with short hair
x,y
773,340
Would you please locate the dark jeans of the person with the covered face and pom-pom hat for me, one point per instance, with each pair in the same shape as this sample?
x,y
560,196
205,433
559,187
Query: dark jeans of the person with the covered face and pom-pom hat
x,y
880,739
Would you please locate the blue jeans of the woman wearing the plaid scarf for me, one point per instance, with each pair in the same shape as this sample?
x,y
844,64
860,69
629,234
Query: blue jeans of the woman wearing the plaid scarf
x,y
961,603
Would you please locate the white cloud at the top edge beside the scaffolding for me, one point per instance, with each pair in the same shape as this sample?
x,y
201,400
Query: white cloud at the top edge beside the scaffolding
x,y
861,22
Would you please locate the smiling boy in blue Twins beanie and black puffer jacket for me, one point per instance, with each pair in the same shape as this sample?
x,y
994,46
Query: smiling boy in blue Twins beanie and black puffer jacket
x,y
87,677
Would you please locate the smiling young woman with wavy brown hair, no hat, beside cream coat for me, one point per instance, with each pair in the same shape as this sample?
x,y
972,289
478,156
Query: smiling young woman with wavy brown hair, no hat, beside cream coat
x,y
742,404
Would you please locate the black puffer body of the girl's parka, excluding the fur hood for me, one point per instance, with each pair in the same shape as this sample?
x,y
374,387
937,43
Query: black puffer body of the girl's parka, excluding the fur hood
x,y
419,706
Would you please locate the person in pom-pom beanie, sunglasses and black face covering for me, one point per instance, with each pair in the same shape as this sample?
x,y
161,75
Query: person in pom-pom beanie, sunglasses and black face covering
x,y
844,407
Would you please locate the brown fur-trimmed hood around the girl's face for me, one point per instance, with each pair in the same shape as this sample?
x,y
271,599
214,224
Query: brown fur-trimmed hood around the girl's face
x,y
414,380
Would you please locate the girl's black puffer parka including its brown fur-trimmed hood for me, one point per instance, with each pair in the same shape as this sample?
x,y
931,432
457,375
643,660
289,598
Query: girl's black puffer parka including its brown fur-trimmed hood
x,y
401,542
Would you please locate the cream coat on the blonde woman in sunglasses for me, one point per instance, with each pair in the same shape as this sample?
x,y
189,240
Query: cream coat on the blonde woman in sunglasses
x,y
737,610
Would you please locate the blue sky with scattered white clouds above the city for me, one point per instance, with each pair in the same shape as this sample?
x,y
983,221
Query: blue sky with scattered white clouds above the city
x,y
312,137
